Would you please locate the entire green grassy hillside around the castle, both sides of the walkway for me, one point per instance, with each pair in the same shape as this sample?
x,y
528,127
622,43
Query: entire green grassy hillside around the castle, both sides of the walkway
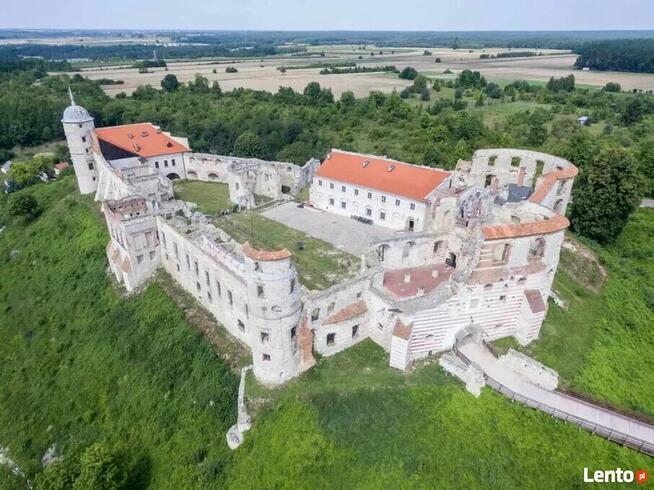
x,y
81,364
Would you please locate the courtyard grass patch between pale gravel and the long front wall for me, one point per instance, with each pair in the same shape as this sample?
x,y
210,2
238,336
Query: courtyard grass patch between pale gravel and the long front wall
x,y
319,264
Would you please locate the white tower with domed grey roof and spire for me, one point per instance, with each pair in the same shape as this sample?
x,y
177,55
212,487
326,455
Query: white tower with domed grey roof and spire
x,y
78,125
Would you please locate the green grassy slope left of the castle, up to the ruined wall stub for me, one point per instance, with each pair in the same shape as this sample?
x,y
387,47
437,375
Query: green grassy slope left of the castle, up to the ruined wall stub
x,y
80,364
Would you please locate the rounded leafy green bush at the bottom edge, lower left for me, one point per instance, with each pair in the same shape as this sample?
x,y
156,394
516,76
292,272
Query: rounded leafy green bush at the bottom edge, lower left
x,y
99,470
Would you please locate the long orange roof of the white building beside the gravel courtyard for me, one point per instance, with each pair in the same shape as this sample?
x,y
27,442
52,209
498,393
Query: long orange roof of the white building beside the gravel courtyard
x,y
403,179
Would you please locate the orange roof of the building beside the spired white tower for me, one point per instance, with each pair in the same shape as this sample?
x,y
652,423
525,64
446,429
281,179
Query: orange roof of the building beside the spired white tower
x,y
144,139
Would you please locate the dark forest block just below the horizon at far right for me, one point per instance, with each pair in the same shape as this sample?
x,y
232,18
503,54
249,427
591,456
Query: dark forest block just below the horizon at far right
x,y
635,55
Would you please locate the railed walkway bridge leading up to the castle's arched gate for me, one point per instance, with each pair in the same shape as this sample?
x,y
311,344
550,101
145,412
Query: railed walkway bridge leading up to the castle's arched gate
x,y
602,421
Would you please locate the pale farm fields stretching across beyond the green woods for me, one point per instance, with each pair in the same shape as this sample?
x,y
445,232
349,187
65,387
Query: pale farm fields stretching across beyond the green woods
x,y
263,74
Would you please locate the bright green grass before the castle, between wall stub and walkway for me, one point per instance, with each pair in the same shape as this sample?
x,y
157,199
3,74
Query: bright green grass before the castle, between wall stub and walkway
x,y
354,422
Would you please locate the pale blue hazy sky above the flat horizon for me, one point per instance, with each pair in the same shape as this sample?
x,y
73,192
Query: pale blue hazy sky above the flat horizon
x,y
433,15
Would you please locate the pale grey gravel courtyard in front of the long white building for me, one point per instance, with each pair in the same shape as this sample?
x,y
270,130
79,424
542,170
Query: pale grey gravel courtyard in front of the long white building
x,y
344,233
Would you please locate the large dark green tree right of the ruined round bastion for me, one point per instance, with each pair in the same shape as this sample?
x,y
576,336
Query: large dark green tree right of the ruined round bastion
x,y
607,192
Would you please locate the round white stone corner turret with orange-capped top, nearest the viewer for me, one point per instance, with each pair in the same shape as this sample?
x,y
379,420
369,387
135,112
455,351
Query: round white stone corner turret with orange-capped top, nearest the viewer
x,y
275,309
